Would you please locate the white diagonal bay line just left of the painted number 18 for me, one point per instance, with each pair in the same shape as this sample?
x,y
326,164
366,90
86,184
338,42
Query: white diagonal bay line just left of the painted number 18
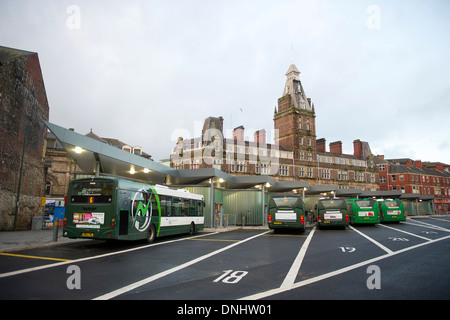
x,y
157,276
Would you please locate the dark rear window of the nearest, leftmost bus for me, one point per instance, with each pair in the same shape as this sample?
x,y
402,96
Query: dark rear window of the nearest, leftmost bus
x,y
98,191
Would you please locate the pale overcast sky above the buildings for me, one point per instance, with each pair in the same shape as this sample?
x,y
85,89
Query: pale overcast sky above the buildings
x,y
146,72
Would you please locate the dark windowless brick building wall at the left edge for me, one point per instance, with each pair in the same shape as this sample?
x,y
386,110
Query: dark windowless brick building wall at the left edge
x,y
23,107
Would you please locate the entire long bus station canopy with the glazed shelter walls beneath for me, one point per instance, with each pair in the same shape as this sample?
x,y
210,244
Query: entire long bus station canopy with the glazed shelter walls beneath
x,y
230,200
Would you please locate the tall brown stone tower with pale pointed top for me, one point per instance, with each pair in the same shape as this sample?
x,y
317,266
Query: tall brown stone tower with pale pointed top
x,y
294,120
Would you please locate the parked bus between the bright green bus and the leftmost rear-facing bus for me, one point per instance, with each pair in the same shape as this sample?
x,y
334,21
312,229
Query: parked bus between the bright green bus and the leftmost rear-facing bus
x,y
332,213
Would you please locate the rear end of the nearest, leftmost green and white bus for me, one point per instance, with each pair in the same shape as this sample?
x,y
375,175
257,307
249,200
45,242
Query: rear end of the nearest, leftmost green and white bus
x,y
90,209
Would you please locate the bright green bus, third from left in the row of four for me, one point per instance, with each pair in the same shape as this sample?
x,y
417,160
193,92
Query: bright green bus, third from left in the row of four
x,y
363,211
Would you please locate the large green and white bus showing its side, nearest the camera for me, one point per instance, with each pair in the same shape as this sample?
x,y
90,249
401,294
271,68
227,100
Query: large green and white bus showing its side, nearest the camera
x,y
115,208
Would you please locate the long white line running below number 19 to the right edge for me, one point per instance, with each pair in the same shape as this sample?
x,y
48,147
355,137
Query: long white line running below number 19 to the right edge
x,y
303,283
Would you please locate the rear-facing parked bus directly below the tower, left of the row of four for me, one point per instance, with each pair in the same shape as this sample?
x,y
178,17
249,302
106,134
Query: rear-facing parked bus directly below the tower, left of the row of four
x,y
286,212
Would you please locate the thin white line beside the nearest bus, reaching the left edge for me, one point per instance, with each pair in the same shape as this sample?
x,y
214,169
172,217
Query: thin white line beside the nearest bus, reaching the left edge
x,y
13,273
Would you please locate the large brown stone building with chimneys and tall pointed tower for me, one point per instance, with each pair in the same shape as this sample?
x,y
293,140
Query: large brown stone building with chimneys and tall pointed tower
x,y
297,154
